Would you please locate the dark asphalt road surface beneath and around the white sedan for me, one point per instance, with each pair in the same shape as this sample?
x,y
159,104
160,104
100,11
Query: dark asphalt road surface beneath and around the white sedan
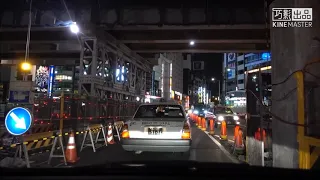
x,y
204,148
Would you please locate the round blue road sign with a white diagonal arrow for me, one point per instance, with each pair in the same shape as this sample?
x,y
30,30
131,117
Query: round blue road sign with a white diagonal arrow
x,y
18,121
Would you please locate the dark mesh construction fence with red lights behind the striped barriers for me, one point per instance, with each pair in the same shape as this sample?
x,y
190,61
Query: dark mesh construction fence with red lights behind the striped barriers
x,y
77,115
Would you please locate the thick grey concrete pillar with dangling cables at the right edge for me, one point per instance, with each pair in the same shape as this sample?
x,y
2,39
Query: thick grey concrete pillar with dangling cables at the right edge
x,y
291,49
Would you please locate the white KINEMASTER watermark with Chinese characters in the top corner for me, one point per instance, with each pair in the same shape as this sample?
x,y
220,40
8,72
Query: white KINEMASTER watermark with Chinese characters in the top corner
x,y
291,17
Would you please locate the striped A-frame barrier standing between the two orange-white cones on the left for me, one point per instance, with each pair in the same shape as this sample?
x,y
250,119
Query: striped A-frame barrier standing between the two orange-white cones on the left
x,y
94,132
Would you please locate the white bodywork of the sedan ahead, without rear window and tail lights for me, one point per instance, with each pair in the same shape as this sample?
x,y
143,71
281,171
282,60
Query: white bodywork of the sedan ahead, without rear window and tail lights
x,y
157,134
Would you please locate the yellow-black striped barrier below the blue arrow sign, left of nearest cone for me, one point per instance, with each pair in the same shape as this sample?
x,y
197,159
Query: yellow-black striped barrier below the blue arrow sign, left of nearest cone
x,y
37,141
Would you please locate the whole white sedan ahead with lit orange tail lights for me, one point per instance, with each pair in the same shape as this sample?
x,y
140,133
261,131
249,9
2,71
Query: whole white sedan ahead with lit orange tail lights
x,y
157,127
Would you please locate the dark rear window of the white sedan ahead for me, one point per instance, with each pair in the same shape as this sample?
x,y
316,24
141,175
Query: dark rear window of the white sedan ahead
x,y
159,111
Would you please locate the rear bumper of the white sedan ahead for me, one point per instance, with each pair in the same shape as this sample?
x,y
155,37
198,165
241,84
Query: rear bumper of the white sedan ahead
x,y
156,145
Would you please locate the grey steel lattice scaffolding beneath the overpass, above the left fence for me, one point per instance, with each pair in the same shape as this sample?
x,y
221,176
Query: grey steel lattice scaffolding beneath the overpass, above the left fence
x,y
106,72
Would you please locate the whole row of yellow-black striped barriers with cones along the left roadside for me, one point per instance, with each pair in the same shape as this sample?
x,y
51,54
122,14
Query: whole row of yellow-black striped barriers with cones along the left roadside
x,y
58,144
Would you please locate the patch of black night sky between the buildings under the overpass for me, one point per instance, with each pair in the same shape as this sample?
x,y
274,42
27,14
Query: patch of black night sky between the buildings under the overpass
x,y
212,69
